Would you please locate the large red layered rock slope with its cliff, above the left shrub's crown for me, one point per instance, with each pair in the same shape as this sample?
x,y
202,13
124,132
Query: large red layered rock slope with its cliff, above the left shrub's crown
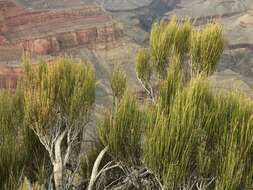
x,y
50,31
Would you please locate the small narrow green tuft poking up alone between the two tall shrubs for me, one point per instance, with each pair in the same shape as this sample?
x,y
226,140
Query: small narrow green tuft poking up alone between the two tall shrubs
x,y
118,83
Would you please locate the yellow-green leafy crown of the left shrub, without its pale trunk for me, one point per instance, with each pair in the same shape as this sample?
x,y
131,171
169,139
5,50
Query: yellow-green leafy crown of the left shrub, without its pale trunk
x,y
64,88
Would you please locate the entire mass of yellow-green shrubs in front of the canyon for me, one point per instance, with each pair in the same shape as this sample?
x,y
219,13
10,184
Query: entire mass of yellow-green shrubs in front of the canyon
x,y
182,135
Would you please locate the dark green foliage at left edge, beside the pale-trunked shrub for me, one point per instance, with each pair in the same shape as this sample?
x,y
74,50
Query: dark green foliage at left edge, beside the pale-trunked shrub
x,y
20,150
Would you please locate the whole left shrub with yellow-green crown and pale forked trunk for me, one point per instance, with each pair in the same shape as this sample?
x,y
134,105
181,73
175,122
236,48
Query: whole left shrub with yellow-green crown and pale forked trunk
x,y
58,100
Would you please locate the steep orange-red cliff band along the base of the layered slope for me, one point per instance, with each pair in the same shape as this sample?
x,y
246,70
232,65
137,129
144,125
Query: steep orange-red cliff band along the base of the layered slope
x,y
101,37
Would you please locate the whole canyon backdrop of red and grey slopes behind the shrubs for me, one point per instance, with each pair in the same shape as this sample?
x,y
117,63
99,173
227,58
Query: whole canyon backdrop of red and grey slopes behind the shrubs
x,y
109,32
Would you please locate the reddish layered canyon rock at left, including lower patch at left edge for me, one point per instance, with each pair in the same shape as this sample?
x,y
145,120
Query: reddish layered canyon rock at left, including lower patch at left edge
x,y
51,31
